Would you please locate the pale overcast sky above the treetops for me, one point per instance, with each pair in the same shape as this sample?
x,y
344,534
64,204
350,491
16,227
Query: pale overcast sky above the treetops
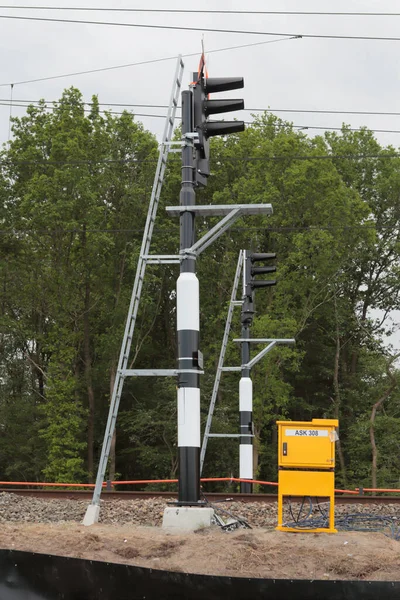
x,y
321,74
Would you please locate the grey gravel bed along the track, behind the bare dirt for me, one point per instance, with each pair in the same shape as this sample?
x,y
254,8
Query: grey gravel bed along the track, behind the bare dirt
x,y
17,509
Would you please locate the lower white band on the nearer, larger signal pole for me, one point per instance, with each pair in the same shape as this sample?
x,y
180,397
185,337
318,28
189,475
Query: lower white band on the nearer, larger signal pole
x,y
189,417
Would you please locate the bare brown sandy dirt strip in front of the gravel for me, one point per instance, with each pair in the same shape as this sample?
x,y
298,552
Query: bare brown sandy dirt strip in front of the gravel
x,y
242,553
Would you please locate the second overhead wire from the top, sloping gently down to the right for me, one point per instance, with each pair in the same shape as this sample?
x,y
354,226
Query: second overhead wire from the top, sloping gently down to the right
x,y
203,29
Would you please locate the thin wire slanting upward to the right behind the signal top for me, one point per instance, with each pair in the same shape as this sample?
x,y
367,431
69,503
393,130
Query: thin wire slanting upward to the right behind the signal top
x,y
146,62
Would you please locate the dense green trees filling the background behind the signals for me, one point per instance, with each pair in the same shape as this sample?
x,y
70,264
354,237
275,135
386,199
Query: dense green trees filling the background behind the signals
x,y
75,188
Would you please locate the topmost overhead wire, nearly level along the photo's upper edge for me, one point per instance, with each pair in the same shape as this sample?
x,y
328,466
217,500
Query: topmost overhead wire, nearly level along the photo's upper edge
x,y
195,11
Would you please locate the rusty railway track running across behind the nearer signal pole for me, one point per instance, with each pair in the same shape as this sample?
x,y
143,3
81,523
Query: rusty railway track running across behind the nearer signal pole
x,y
109,496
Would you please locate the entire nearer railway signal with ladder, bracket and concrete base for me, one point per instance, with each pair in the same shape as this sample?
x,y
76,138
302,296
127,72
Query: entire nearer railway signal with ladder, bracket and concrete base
x,y
196,131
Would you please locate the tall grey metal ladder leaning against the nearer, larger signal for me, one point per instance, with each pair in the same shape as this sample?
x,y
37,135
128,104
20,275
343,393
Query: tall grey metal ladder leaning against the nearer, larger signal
x,y
165,148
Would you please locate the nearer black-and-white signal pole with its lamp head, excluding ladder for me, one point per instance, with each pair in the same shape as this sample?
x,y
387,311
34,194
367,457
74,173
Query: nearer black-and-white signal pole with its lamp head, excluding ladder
x,y
196,130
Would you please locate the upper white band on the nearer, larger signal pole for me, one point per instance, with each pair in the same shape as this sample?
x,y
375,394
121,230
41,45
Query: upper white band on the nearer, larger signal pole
x,y
187,302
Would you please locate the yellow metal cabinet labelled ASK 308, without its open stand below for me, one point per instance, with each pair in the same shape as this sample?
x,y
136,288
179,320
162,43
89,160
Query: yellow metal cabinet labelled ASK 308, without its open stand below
x,y
307,444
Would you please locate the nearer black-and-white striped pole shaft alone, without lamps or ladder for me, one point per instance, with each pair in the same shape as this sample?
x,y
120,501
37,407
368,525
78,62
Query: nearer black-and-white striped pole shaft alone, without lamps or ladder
x,y
188,326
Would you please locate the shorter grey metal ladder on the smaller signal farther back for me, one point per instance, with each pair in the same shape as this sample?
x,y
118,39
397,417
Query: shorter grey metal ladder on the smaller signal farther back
x,y
220,368
